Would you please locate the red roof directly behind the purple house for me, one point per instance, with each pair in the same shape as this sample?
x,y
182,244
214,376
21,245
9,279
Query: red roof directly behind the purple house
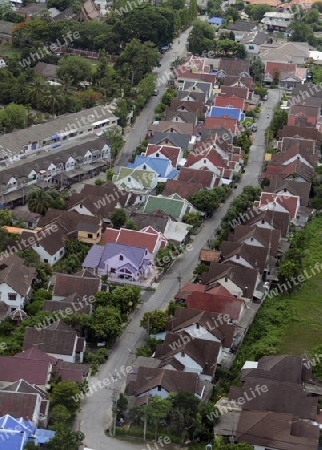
x,y
132,238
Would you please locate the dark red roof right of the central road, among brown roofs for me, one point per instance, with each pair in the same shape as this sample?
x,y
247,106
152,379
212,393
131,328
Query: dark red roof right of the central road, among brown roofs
x,y
220,304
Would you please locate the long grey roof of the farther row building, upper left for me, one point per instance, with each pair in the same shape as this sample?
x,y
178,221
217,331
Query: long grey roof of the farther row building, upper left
x,y
16,140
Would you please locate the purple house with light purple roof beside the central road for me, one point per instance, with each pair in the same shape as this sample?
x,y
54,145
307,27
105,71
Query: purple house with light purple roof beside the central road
x,y
119,261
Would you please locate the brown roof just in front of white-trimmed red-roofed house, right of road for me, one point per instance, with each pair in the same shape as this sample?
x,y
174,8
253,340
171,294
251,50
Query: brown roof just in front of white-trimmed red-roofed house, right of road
x,y
279,220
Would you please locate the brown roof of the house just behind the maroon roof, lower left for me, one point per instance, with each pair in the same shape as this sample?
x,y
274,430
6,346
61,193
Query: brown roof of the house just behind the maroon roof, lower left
x,y
57,338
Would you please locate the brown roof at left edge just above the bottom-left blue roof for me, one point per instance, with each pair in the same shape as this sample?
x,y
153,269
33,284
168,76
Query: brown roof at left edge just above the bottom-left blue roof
x,y
18,404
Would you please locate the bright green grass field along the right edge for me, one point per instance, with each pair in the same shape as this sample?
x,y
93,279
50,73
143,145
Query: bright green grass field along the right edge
x,y
305,329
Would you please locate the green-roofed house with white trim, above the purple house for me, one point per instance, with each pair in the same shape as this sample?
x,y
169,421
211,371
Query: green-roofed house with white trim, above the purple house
x,y
174,205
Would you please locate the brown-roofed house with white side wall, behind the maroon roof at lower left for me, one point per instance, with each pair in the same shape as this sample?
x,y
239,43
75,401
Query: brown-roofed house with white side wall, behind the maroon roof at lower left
x,y
58,340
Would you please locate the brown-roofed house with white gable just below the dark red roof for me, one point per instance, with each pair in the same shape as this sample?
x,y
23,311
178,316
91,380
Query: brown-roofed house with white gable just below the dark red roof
x,y
207,325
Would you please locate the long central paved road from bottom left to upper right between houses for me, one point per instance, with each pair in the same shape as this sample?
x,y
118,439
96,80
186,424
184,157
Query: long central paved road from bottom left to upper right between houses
x,y
96,414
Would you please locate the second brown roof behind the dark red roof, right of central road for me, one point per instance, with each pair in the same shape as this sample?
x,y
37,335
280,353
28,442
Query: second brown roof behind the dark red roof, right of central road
x,y
240,252
